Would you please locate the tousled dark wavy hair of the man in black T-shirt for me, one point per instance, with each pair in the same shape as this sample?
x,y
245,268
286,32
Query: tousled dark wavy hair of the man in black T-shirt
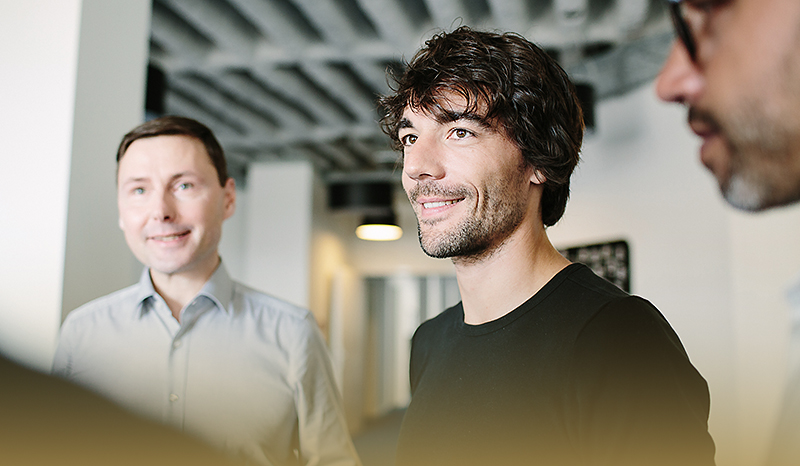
x,y
518,88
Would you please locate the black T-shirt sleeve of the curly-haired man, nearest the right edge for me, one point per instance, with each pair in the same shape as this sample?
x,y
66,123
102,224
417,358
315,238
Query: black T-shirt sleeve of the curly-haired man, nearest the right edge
x,y
637,398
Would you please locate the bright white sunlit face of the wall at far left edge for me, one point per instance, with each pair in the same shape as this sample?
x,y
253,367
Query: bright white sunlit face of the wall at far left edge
x,y
37,96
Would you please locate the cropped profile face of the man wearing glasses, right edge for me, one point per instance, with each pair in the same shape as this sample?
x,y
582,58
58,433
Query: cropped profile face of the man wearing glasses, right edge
x,y
743,95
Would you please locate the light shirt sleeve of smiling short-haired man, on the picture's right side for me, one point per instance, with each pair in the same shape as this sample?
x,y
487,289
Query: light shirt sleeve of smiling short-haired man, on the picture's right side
x,y
323,433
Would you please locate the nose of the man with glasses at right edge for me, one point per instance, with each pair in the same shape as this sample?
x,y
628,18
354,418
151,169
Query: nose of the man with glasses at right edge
x,y
680,79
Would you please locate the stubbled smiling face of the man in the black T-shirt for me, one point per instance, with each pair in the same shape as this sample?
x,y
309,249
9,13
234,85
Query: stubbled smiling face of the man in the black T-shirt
x,y
468,183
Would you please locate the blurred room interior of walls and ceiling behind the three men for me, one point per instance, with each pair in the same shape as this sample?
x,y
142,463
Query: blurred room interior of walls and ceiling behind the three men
x,y
290,88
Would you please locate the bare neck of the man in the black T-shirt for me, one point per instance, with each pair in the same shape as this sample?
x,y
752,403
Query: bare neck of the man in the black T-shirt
x,y
499,283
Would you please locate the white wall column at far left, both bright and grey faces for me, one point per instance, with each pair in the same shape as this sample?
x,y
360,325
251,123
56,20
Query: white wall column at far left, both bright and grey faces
x,y
67,90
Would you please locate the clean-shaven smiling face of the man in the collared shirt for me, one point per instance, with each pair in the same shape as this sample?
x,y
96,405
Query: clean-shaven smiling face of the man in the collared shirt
x,y
171,205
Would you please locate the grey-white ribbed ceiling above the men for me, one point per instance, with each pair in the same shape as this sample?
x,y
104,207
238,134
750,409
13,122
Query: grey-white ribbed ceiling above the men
x,y
284,79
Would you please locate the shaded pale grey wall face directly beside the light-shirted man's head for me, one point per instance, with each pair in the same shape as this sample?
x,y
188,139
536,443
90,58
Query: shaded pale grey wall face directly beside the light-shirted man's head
x,y
109,102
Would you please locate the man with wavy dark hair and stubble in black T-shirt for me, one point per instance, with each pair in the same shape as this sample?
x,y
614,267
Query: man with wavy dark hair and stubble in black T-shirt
x,y
542,362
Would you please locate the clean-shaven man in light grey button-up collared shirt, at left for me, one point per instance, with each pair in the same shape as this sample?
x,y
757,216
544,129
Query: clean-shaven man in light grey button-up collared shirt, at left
x,y
187,345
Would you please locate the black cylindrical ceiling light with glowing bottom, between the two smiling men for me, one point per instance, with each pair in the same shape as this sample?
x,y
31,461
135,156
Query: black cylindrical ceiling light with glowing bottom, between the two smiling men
x,y
373,199
